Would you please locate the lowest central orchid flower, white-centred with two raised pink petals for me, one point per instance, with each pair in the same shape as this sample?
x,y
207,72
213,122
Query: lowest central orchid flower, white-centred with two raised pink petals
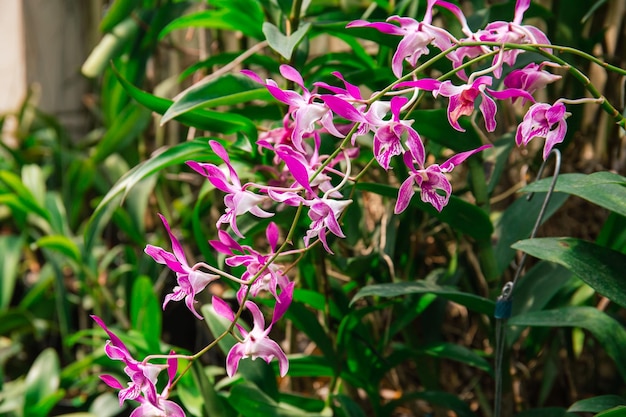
x,y
256,343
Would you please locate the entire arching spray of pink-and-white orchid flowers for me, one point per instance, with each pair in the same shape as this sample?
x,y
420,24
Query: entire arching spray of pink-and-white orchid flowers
x,y
314,182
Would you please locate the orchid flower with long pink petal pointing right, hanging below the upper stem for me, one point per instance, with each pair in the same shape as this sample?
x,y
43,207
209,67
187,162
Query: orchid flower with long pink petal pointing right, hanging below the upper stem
x,y
431,180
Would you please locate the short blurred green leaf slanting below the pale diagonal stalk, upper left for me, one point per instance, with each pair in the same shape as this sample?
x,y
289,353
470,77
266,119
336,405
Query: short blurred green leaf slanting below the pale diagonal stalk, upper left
x,y
125,128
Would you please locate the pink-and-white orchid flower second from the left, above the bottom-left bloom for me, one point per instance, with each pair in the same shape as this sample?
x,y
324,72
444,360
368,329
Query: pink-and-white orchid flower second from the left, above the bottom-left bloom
x,y
190,280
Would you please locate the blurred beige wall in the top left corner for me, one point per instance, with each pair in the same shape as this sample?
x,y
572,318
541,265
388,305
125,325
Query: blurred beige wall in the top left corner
x,y
43,44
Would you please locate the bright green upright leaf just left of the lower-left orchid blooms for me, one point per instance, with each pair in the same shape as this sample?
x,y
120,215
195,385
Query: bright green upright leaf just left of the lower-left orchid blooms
x,y
145,311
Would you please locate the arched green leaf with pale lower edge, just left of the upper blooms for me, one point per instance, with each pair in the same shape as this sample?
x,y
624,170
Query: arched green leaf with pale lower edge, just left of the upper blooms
x,y
225,90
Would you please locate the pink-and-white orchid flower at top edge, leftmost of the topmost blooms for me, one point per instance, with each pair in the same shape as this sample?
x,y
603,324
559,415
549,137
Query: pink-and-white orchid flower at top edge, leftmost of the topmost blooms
x,y
417,36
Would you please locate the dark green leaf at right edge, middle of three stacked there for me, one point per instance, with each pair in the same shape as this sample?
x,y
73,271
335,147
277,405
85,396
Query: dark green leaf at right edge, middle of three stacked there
x,y
601,268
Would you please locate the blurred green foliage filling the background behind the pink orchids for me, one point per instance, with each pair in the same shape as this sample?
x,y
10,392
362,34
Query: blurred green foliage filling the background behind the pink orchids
x,y
399,323
